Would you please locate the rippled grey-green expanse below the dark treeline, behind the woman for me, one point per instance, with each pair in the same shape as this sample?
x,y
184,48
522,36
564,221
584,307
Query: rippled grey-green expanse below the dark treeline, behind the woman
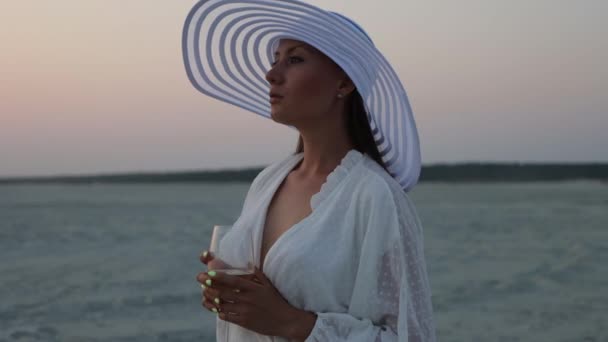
x,y
507,262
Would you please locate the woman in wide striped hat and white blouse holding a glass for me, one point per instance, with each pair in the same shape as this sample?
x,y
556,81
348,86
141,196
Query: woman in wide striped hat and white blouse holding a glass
x,y
338,244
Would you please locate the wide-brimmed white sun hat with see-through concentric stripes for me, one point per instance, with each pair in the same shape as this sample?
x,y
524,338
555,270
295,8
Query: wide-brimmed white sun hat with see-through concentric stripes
x,y
228,47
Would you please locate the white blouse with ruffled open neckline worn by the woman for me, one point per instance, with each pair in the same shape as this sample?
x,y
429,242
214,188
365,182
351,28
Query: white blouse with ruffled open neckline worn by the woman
x,y
357,260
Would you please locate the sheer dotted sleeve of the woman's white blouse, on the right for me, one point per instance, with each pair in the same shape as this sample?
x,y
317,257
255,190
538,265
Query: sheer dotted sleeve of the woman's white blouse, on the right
x,y
392,300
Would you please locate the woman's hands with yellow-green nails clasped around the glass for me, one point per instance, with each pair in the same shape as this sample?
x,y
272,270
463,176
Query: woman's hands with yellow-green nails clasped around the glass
x,y
254,303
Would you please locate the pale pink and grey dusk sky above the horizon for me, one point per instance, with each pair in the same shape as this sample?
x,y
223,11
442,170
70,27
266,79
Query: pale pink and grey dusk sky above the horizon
x,y
100,87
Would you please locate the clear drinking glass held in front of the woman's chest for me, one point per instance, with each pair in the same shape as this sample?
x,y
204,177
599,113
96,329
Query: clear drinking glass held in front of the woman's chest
x,y
232,254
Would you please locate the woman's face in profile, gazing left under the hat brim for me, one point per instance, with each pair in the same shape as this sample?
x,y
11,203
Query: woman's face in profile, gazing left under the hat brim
x,y
306,81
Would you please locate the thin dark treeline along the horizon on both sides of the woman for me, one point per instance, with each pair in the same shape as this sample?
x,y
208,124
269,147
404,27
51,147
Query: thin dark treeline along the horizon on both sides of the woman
x,y
468,172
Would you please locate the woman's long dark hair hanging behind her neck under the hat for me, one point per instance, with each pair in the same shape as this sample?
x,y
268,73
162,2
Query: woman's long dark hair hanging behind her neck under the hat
x,y
358,129
